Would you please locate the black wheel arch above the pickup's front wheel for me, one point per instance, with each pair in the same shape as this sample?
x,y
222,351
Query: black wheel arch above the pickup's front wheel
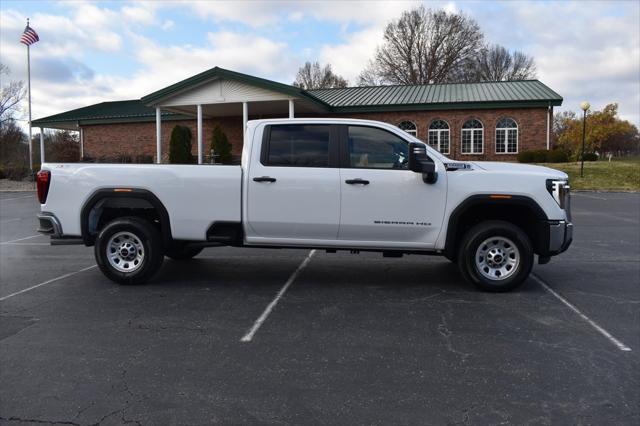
x,y
517,209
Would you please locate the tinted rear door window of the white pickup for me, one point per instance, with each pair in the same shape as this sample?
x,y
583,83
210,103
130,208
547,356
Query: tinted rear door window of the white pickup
x,y
298,145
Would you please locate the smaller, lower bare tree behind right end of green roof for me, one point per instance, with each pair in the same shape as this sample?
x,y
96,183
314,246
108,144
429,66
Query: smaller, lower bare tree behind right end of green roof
x,y
496,63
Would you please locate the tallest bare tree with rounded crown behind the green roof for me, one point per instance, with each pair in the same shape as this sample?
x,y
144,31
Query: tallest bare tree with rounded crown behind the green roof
x,y
425,46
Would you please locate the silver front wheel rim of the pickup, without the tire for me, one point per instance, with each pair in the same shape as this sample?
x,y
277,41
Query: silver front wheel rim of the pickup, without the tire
x,y
497,258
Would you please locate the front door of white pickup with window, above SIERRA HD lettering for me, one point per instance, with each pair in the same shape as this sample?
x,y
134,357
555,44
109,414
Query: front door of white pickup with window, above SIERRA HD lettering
x,y
381,200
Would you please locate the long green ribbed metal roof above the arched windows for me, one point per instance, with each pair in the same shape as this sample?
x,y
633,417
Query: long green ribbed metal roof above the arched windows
x,y
439,96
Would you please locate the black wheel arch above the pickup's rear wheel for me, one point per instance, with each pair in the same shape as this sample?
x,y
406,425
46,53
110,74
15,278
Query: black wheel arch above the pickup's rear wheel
x,y
131,198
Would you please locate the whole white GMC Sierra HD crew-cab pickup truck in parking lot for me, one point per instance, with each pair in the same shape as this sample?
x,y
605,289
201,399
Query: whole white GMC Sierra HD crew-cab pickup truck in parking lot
x,y
332,184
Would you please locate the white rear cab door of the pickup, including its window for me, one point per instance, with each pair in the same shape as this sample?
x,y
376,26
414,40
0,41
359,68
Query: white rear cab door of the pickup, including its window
x,y
293,185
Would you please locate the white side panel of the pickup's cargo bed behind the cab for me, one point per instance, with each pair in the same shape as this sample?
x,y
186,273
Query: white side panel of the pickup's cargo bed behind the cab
x,y
196,195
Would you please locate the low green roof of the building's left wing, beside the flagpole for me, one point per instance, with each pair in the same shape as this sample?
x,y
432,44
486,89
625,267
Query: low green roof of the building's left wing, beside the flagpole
x,y
112,112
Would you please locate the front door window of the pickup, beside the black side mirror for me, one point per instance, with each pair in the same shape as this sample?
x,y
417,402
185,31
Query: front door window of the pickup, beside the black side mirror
x,y
372,148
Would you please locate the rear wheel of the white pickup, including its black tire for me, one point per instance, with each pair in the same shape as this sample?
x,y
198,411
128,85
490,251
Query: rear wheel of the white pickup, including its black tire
x,y
146,244
